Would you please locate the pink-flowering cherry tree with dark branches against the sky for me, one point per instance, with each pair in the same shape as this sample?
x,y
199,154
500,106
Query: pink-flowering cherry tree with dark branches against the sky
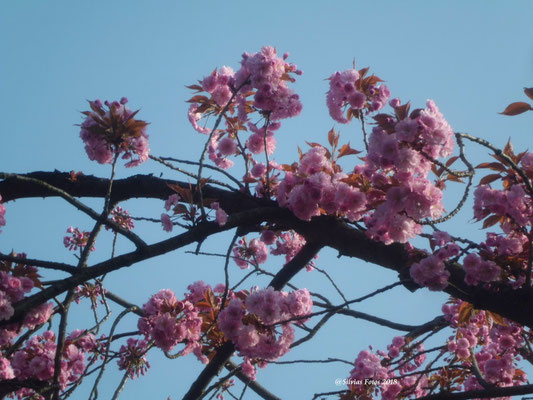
x,y
370,203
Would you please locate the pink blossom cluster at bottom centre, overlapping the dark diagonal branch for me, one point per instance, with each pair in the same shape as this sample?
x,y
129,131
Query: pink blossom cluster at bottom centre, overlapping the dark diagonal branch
x,y
250,323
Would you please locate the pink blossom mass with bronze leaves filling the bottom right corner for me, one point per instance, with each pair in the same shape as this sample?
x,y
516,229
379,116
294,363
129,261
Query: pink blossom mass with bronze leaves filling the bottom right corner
x,y
495,343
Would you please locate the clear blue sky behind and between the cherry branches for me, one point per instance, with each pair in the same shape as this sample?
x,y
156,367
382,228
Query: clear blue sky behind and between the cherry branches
x,y
473,58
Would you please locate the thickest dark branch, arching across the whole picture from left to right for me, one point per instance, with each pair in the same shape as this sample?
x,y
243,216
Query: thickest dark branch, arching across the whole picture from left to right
x,y
512,304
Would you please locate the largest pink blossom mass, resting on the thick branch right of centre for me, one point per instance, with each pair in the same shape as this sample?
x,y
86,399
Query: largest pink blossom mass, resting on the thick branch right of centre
x,y
390,191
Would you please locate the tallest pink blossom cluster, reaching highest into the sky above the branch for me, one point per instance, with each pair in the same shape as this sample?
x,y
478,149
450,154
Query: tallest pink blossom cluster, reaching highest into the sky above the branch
x,y
264,76
